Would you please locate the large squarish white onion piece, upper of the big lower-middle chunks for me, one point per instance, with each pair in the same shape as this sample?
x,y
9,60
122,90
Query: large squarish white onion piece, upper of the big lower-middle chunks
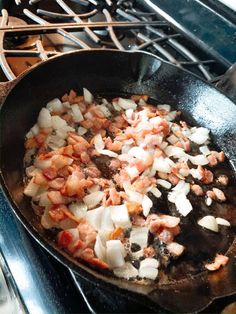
x,y
120,216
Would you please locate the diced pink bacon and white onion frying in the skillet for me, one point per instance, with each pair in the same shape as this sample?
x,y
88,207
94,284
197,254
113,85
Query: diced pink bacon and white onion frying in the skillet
x,y
97,172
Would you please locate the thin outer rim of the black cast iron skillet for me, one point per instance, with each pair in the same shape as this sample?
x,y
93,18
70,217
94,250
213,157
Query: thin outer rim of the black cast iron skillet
x,y
64,258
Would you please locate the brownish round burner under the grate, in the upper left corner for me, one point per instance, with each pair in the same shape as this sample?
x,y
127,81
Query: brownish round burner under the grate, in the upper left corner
x,y
20,42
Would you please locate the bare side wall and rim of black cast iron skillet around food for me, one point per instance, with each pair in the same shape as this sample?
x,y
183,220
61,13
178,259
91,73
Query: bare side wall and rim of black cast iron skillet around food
x,y
118,73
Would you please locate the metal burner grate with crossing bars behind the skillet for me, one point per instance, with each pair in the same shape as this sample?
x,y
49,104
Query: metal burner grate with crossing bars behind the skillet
x,y
156,36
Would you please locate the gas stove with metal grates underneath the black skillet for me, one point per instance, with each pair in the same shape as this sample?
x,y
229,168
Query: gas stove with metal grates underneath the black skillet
x,y
198,36
